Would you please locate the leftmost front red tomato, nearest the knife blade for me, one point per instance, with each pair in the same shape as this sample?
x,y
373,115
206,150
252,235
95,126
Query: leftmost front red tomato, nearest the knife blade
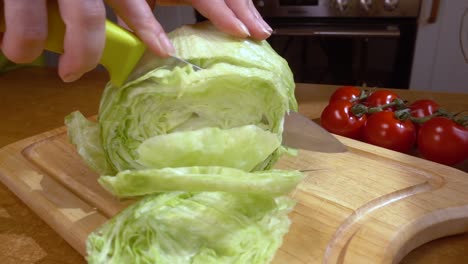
x,y
337,118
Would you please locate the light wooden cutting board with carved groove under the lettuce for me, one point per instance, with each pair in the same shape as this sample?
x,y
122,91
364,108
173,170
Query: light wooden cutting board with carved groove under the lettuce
x,y
368,205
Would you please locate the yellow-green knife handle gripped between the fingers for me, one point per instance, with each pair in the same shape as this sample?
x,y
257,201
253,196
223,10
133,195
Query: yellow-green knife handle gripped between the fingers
x,y
121,53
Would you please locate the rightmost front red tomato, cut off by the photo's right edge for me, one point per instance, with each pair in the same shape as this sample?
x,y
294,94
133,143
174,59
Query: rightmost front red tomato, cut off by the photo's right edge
x,y
443,141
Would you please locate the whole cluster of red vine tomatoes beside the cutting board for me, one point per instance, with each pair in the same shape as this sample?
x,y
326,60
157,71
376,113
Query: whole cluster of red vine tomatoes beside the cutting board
x,y
384,119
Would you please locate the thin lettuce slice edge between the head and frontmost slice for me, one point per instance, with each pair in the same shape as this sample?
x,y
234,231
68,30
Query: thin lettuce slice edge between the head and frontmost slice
x,y
201,179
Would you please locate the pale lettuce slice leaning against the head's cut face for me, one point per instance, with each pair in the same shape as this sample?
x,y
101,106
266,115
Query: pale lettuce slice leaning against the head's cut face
x,y
209,146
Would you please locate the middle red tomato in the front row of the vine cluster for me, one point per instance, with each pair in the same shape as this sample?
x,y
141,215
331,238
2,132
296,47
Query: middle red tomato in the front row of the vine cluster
x,y
384,130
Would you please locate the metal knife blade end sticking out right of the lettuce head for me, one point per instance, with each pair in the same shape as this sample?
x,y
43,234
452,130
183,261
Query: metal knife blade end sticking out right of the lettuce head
x,y
302,133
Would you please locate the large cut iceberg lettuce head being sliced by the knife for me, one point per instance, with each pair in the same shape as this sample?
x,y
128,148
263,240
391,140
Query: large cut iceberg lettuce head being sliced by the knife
x,y
228,114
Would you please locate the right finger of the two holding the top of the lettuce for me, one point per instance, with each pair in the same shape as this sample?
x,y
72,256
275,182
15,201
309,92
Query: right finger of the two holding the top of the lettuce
x,y
248,14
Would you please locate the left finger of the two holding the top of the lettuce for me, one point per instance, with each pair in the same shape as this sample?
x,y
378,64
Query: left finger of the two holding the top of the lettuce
x,y
221,16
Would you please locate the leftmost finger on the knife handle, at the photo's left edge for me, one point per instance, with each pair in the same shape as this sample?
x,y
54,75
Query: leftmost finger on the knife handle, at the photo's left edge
x,y
26,30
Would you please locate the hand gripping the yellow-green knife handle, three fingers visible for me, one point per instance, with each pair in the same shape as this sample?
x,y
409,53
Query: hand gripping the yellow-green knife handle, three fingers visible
x,y
26,31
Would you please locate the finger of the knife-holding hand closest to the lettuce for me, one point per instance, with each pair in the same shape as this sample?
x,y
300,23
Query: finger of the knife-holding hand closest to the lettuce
x,y
139,17
